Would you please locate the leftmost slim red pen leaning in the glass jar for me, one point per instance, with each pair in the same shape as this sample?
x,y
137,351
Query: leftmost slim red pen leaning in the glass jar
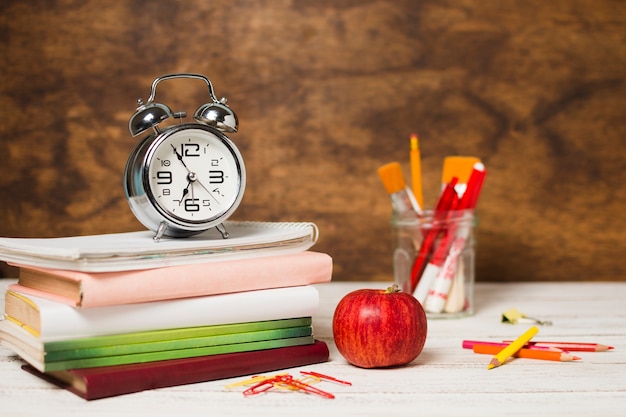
x,y
447,201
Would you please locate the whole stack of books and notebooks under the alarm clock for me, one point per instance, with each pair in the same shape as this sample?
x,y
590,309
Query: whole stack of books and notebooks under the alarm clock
x,y
113,314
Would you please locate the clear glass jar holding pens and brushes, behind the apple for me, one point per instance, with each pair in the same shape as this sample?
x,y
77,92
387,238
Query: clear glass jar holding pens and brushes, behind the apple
x,y
433,259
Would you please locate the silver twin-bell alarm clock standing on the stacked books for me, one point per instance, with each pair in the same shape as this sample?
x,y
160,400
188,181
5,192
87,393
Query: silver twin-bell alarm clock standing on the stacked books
x,y
185,178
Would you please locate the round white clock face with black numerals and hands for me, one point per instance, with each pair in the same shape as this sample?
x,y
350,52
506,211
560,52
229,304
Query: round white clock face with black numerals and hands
x,y
194,175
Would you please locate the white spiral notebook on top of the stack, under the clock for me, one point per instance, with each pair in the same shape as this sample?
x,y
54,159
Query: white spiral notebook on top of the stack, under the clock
x,y
138,250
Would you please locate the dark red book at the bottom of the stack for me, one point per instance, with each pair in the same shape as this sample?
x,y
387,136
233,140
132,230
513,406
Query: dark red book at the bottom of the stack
x,y
110,381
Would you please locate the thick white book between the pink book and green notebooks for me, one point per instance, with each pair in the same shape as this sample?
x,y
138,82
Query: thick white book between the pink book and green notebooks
x,y
52,321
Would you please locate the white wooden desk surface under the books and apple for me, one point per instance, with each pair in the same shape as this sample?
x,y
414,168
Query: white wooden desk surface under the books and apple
x,y
445,380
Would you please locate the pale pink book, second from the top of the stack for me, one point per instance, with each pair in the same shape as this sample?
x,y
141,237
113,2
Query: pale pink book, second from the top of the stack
x,y
91,289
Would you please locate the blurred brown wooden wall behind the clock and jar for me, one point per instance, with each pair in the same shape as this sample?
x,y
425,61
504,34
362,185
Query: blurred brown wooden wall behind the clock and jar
x,y
327,91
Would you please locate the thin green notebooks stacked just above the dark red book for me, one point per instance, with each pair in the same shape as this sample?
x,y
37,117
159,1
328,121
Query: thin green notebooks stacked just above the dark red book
x,y
155,345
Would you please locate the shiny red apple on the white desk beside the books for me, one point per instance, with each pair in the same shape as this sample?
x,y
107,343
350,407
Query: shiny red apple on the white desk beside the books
x,y
379,328
